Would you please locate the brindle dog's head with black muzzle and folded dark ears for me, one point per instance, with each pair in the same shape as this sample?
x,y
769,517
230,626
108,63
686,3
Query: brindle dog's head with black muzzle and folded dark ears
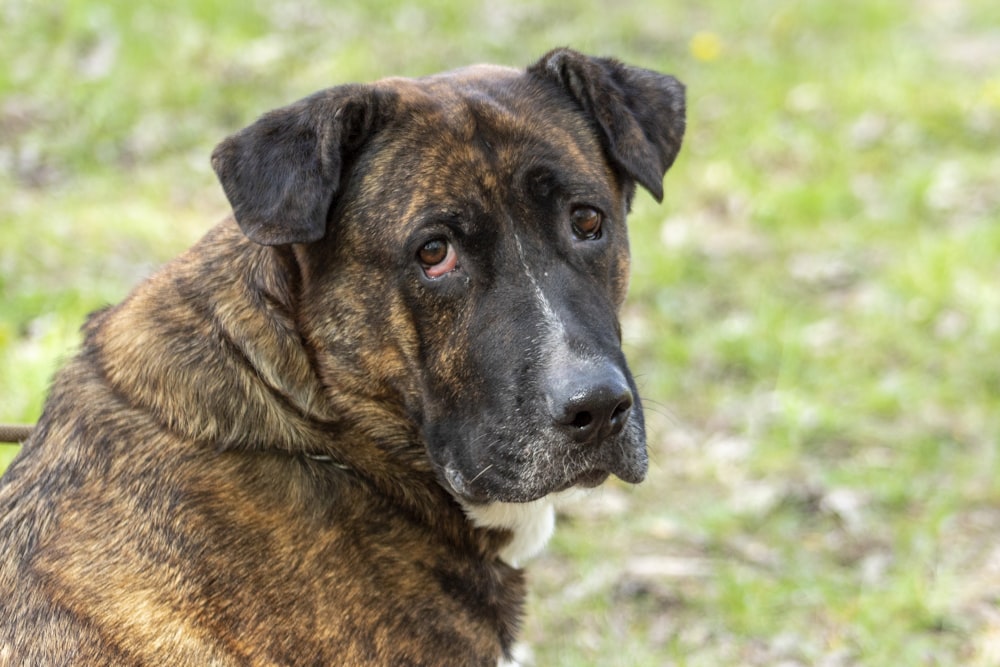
x,y
479,218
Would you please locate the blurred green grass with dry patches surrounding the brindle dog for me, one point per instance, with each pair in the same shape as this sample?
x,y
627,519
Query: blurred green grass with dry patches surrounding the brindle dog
x,y
814,316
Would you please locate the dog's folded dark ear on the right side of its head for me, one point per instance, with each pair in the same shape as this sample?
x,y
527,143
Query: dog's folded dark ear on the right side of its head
x,y
640,113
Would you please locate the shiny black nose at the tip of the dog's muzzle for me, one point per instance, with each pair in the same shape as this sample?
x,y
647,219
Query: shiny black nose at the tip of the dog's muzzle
x,y
591,404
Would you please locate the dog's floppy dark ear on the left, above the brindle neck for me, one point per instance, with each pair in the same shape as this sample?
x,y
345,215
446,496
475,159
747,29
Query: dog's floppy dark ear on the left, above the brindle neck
x,y
281,174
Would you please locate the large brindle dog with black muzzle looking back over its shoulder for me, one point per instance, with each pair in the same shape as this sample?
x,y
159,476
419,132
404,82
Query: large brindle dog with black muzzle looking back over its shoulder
x,y
331,431
